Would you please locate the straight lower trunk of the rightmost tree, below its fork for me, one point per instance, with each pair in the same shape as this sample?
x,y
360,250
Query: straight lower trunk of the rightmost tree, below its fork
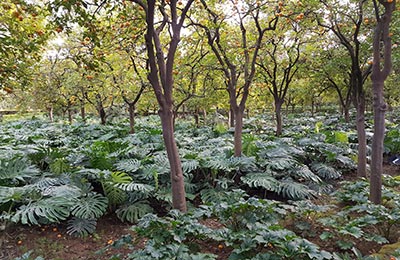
x,y
377,142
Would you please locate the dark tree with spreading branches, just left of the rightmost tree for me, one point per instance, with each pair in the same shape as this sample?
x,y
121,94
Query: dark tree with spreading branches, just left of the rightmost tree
x,y
346,21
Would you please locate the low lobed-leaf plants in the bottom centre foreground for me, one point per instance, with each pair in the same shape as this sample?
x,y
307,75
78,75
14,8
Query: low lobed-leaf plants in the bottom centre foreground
x,y
244,225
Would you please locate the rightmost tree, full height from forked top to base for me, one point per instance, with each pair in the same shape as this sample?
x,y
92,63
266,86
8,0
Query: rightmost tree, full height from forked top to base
x,y
381,68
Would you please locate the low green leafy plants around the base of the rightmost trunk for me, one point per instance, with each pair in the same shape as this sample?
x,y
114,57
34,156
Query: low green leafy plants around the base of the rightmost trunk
x,y
356,220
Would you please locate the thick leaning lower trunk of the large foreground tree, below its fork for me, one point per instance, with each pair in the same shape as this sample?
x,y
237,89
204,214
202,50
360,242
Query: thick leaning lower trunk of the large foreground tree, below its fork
x,y
177,180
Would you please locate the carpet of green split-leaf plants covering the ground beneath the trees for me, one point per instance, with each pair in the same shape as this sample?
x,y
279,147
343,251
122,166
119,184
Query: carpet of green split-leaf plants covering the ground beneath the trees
x,y
267,202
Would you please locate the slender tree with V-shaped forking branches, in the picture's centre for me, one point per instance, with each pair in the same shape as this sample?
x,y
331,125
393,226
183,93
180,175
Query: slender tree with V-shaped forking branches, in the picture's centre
x,y
238,63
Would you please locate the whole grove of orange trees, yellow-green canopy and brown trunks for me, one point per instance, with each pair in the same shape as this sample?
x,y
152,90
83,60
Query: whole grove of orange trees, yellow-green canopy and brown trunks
x,y
218,61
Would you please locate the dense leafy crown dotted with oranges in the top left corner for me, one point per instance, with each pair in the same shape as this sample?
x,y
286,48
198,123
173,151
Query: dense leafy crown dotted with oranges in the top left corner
x,y
22,33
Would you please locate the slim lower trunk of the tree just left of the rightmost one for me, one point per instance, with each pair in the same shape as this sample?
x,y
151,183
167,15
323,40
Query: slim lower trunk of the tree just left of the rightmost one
x,y
362,140
